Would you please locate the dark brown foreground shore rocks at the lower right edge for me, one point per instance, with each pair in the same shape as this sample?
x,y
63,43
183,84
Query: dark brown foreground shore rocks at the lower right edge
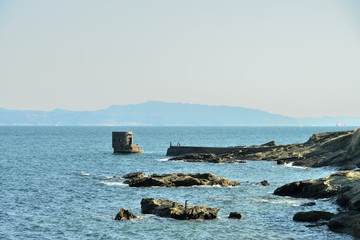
x,y
344,186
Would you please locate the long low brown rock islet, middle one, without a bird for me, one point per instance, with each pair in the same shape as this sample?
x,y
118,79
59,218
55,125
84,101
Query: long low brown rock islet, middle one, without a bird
x,y
179,180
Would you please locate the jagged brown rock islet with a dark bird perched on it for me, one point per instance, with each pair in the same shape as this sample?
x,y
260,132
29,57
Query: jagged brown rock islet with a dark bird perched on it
x,y
168,208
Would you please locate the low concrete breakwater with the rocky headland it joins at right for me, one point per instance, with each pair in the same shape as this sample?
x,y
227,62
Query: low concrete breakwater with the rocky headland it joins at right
x,y
341,149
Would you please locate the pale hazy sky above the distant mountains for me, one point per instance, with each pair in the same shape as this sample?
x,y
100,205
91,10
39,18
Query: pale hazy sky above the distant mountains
x,y
296,58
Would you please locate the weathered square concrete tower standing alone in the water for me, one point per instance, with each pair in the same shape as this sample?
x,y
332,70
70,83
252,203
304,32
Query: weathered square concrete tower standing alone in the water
x,y
123,143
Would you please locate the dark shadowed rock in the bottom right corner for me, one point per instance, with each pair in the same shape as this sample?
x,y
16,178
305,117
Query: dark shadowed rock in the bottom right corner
x,y
346,222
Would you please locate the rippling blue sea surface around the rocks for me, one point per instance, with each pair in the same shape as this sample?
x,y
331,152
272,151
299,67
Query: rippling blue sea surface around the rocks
x,y
58,183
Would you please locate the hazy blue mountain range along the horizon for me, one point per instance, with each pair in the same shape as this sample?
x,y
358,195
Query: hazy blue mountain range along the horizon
x,y
164,114
